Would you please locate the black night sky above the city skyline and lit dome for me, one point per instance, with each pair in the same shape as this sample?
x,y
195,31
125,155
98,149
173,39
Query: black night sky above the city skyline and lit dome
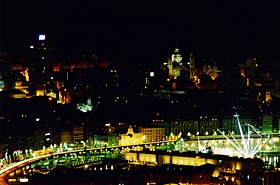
x,y
146,31
